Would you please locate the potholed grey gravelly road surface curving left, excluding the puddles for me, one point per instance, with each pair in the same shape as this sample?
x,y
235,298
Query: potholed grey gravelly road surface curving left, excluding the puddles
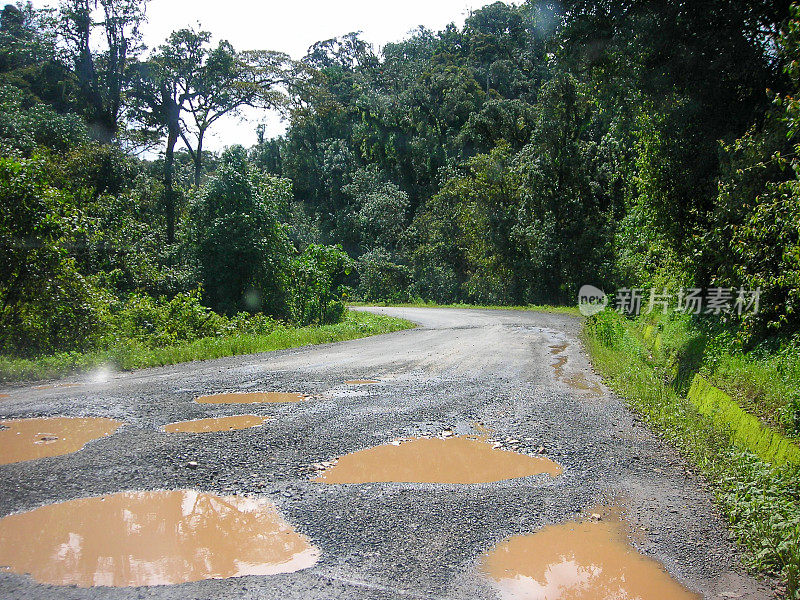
x,y
522,374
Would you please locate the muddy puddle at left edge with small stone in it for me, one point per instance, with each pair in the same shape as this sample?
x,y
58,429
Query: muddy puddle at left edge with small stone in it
x,y
27,439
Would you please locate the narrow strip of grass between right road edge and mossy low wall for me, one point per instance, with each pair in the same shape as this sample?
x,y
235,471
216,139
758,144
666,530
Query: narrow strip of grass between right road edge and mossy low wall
x,y
761,502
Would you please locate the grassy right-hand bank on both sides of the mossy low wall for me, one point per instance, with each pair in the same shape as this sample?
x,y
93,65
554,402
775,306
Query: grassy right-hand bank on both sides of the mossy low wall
x,y
653,373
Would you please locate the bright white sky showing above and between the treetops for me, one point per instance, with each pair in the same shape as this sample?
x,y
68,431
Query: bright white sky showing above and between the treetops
x,y
292,26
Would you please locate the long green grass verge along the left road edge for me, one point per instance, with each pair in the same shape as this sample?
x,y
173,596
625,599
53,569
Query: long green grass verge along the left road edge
x,y
129,356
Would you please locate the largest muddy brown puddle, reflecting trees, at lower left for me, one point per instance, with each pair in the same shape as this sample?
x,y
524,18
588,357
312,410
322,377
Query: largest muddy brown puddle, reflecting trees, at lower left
x,y
152,538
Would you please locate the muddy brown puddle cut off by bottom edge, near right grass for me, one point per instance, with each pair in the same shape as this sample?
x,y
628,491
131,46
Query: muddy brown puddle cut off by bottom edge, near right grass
x,y
578,561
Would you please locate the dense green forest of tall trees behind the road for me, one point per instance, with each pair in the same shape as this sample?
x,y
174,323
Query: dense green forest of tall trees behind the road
x,y
540,147
